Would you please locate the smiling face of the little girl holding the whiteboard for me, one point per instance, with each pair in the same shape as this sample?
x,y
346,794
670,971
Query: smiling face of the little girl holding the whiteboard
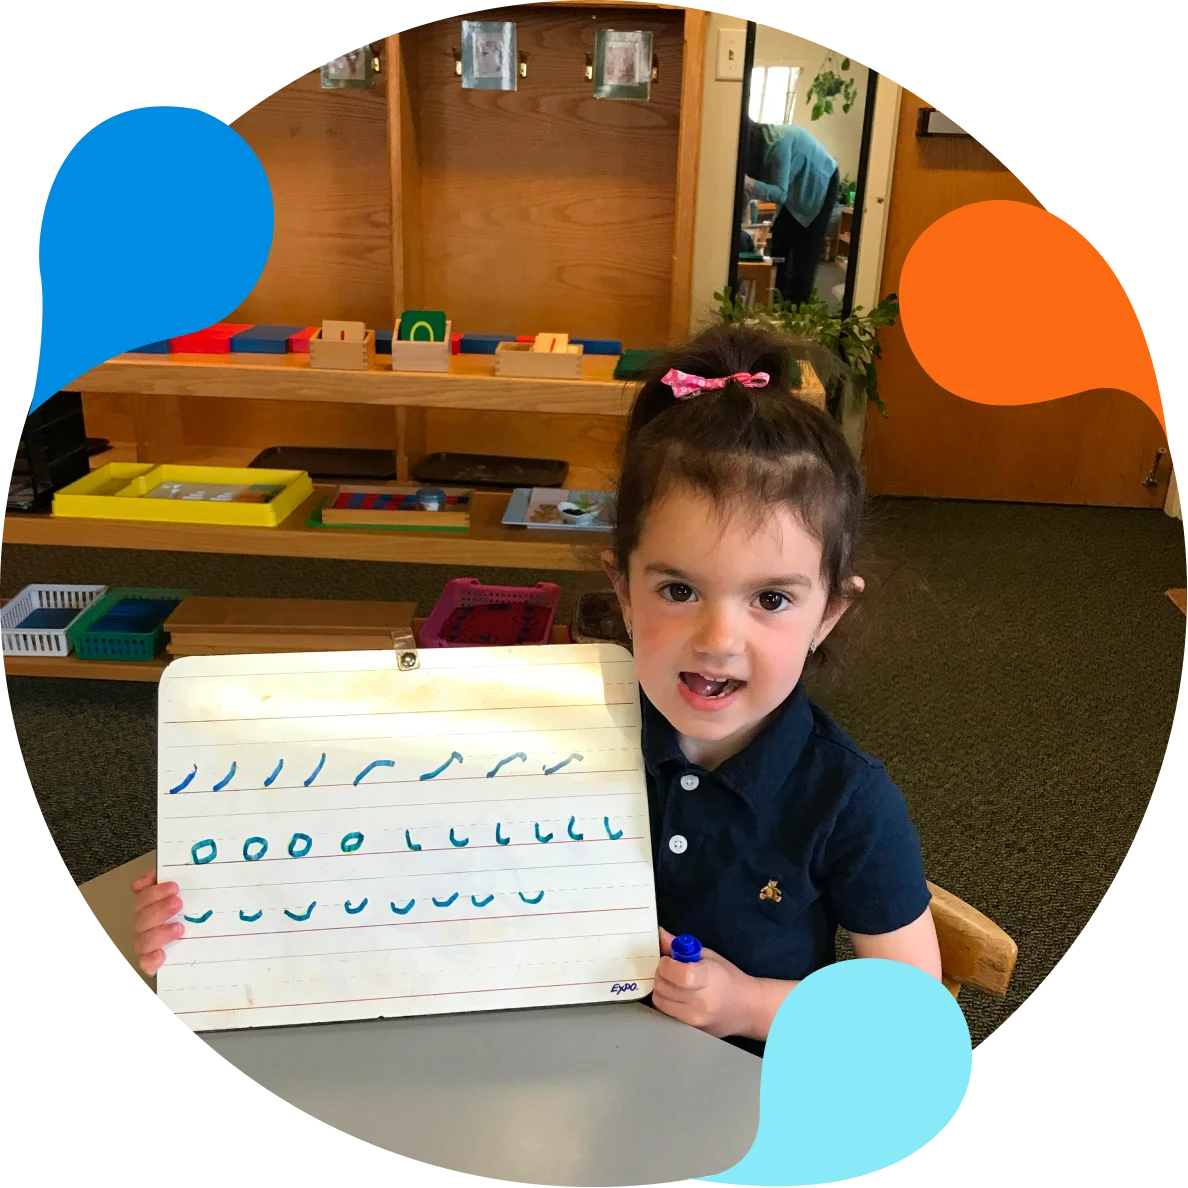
x,y
723,615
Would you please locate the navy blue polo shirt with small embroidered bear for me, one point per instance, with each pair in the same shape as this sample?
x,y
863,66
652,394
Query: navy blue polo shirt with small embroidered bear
x,y
763,858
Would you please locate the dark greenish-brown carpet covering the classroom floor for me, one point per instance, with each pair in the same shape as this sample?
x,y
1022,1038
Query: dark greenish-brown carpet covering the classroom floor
x,y
1018,669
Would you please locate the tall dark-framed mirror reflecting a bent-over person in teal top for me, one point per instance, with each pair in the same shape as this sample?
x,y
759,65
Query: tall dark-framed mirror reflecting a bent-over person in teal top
x,y
802,148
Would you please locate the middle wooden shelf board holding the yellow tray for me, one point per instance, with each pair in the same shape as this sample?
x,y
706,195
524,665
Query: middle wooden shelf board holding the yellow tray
x,y
488,544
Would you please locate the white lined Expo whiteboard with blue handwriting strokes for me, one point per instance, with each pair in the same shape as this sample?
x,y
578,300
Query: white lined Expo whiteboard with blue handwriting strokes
x,y
353,842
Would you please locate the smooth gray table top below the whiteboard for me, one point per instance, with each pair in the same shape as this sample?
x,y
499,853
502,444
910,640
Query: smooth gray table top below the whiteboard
x,y
568,1097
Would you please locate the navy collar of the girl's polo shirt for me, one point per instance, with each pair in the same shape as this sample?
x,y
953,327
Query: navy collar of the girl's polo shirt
x,y
760,772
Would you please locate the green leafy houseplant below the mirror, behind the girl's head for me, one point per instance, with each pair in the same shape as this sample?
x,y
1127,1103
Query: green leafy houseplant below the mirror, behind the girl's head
x,y
843,351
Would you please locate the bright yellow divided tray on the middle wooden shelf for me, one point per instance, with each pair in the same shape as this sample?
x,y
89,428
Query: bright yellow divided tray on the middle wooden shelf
x,y
117,491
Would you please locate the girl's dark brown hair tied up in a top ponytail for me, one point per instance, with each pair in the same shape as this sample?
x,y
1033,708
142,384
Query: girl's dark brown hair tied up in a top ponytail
x,y
745,448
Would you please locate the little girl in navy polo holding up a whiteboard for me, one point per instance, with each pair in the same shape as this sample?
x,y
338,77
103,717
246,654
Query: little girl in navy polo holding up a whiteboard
x,y
738,511
